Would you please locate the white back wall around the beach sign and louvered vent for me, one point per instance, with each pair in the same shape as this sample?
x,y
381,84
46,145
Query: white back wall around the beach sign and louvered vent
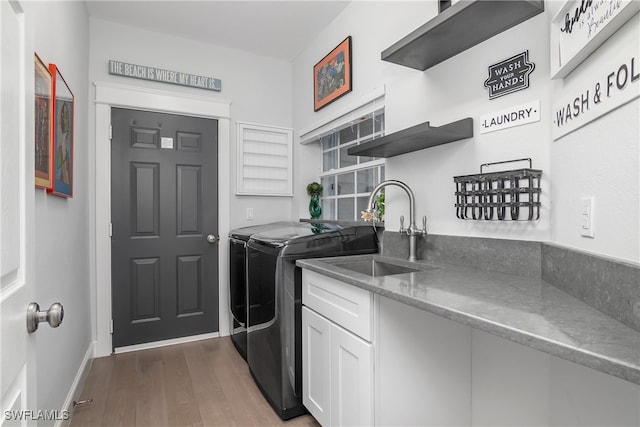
x,y
258,87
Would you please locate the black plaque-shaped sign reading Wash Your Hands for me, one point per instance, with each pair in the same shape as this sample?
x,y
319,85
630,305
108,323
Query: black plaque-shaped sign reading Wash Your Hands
x,y
510,75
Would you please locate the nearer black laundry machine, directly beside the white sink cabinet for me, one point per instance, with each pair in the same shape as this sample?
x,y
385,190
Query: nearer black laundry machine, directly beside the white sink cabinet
x,y
274,331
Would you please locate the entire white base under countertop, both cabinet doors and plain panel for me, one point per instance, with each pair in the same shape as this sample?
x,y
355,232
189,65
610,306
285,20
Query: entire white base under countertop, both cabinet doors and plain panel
x,y
428,370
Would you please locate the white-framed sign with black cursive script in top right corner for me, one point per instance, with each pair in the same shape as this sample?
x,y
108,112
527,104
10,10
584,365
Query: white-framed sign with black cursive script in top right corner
x,y
581,26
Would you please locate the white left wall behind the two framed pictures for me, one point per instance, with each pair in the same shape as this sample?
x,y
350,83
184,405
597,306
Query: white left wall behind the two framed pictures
x,y
60,33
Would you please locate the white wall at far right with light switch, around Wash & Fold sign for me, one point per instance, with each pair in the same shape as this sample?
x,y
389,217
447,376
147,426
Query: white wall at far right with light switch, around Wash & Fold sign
x,y
600,160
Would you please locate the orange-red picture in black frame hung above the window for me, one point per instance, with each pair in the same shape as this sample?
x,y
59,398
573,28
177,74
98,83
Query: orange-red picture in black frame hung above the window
x,y
332,75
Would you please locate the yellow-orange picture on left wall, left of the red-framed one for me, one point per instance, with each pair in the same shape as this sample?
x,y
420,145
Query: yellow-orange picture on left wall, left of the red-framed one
x,y
43,124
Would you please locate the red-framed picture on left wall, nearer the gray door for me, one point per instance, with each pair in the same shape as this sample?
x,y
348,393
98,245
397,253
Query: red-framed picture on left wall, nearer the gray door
x,y
62,135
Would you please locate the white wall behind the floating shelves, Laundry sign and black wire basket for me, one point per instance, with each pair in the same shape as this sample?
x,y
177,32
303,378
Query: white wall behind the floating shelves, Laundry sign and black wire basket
x,y
452,90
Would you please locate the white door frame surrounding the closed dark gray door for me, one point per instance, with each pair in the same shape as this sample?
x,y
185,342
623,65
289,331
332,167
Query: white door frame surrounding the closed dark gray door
x,y
115,95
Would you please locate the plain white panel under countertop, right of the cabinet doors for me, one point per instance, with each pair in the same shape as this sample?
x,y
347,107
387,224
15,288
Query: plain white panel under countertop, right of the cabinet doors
x,y
433,371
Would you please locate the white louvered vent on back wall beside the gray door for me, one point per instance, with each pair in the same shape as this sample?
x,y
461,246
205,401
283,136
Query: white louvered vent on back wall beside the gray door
x,y
265,160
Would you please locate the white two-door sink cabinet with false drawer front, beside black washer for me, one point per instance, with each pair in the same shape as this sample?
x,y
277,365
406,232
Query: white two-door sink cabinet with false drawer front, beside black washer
x,y
337,364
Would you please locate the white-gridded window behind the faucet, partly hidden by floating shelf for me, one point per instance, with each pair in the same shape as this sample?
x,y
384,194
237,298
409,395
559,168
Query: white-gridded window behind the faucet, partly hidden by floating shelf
x,y
348,180
